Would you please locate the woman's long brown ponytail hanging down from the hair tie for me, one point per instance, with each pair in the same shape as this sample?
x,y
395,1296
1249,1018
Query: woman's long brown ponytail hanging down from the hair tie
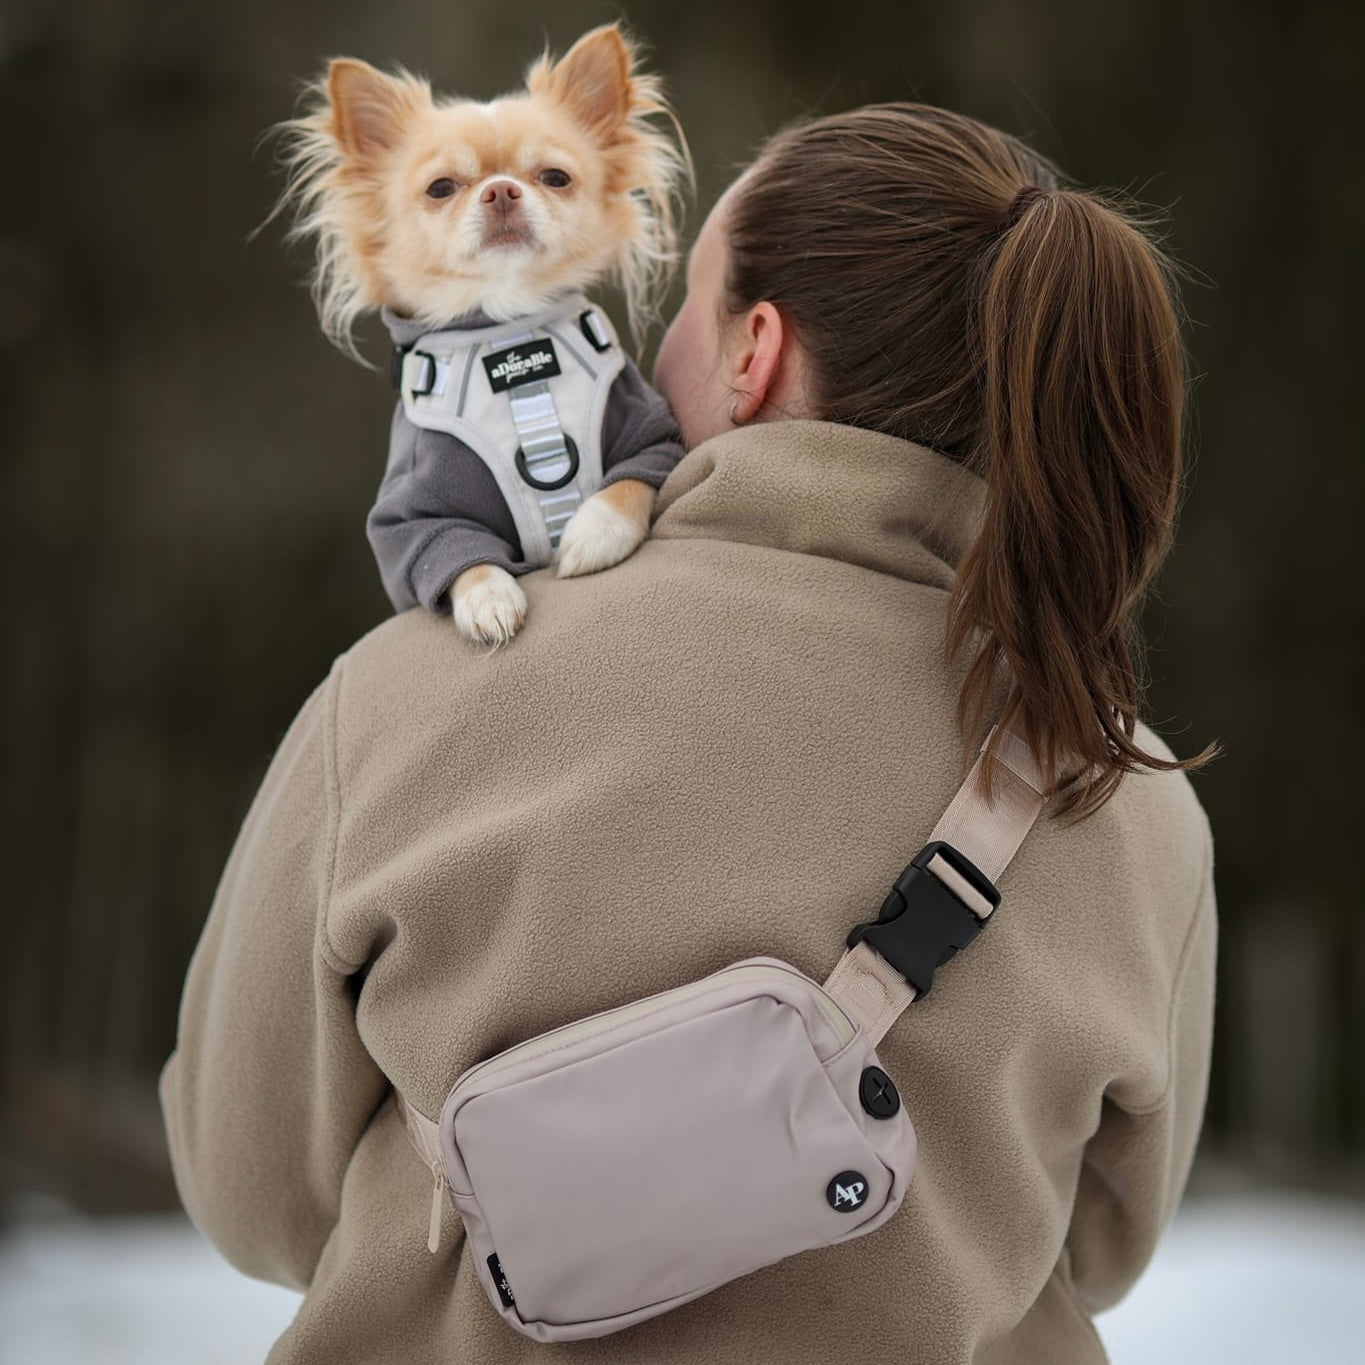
x,y
1083,380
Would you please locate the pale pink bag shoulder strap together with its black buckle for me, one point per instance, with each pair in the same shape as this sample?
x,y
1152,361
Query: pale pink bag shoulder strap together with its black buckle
x,y
947,896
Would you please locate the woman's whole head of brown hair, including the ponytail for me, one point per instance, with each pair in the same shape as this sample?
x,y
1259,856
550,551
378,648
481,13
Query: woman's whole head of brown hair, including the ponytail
x,y
948,290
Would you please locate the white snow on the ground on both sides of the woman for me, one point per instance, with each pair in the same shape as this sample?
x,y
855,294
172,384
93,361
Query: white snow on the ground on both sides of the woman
x,y
1261,1280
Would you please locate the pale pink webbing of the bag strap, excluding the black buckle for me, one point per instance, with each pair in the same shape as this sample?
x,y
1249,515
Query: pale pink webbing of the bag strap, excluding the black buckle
x,y
872,990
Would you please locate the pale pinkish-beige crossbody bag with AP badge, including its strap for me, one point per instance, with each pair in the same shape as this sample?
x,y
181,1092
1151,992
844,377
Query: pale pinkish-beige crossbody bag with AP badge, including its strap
x,y
624,1164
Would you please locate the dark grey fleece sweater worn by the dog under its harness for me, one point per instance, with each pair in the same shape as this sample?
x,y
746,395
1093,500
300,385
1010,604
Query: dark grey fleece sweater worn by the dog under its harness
x,y
440,510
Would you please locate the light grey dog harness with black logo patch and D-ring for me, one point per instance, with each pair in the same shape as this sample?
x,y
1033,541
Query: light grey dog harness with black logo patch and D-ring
x,y
529,398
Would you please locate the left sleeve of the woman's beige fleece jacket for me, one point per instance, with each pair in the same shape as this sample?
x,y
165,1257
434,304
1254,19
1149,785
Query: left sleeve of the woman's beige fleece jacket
x,y
270,1087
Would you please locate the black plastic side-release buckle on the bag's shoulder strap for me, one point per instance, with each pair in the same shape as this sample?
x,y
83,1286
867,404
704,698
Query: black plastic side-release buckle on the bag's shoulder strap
x,y
923,923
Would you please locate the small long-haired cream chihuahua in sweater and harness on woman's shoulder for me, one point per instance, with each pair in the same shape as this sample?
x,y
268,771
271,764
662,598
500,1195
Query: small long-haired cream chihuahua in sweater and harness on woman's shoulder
x,y
461,222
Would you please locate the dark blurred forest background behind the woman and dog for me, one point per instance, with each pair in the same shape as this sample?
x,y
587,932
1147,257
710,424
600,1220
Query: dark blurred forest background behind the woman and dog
x,y
189,466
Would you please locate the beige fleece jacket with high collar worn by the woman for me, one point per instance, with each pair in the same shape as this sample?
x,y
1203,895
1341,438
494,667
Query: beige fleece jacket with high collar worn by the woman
x,y
731,745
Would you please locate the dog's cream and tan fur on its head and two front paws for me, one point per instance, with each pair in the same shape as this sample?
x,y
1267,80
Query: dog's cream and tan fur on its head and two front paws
x,y
362,164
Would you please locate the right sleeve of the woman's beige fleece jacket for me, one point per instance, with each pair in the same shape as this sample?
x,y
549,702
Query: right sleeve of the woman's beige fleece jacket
x,y
1138,1162
